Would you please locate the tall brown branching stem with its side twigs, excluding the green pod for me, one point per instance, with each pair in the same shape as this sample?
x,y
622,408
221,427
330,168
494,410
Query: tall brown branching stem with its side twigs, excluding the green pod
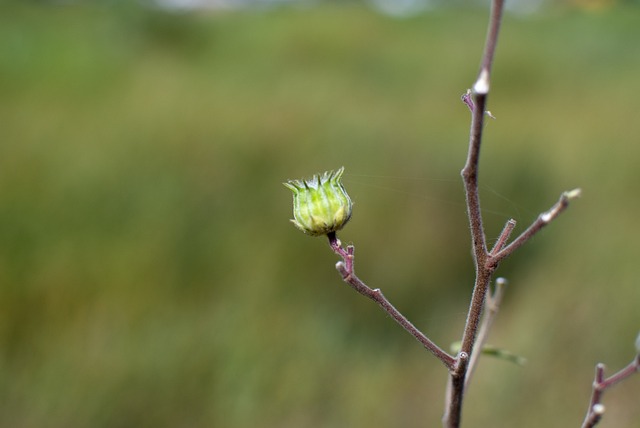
x,y
485,262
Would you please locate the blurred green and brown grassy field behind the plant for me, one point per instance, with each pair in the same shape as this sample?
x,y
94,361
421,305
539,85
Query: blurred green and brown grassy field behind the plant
x,y
149,276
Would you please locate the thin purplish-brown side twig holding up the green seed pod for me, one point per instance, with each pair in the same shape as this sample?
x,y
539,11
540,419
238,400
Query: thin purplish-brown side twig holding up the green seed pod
x,y
347,272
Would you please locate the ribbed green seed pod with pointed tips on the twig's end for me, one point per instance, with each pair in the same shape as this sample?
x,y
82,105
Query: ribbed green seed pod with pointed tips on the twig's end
x,y
320,205
